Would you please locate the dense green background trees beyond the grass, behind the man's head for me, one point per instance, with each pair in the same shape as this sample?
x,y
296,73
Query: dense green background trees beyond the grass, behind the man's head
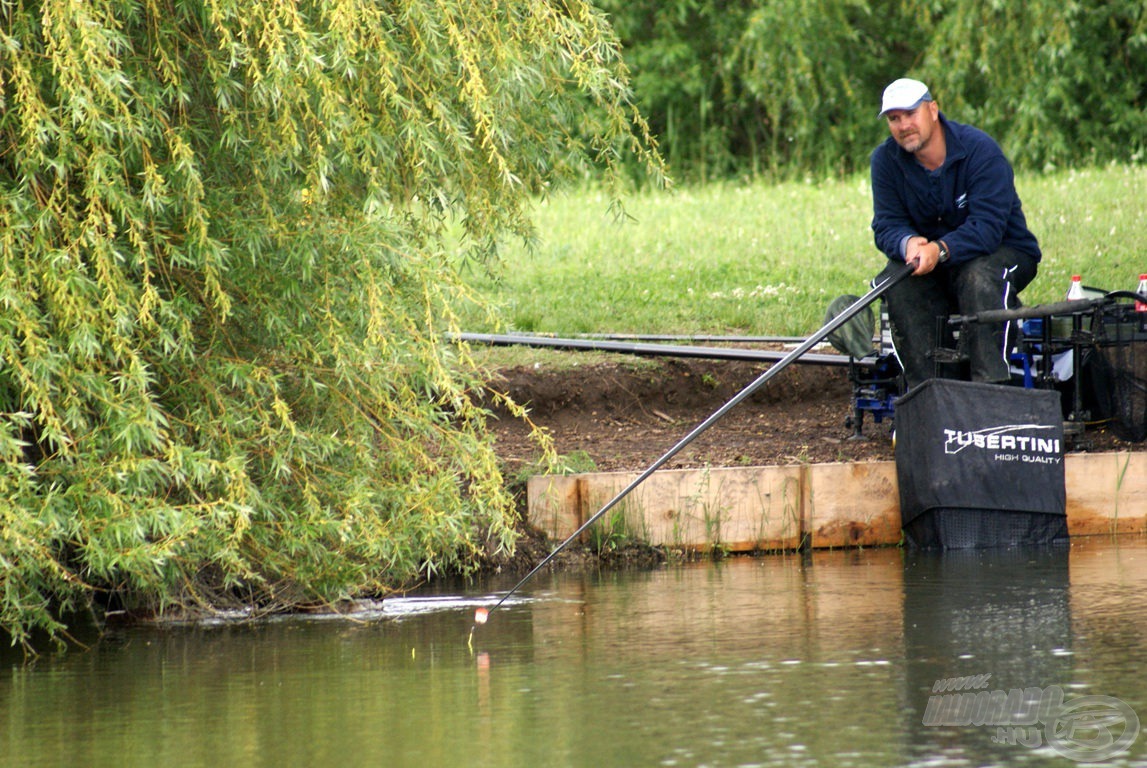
x,y
787,88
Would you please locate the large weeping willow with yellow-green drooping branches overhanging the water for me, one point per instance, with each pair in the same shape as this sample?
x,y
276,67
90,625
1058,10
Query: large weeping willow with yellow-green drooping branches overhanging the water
x,y
225,283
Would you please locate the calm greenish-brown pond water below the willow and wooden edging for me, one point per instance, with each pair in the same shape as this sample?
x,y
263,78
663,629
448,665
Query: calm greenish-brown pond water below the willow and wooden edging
x,y
828,660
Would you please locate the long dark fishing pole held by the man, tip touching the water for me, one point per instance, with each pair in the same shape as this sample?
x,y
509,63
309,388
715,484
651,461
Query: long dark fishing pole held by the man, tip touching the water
x,y
482,615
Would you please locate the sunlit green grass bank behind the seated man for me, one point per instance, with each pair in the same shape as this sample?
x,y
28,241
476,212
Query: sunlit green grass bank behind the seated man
x,y
760,258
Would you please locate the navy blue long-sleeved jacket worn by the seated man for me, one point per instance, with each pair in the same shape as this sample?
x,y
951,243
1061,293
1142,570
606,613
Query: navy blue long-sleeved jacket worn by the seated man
x,y
970,202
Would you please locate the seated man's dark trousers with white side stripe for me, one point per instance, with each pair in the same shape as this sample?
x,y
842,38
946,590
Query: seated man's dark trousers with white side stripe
x,y
918,307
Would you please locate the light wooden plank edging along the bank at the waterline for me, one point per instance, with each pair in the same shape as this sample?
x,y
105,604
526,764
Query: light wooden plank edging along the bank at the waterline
x,y
820,506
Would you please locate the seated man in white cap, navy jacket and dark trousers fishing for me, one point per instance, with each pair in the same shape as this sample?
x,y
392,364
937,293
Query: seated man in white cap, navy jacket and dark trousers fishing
x,y
945,198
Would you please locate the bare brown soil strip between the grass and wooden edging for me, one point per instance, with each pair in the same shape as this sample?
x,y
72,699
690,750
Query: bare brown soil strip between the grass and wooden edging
x,y
625,416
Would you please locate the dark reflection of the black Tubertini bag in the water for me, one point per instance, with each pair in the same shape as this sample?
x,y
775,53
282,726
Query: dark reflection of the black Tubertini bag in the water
x,y
977,623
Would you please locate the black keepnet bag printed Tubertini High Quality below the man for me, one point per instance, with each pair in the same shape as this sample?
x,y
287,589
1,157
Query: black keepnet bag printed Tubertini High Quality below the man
x,y
980,466
